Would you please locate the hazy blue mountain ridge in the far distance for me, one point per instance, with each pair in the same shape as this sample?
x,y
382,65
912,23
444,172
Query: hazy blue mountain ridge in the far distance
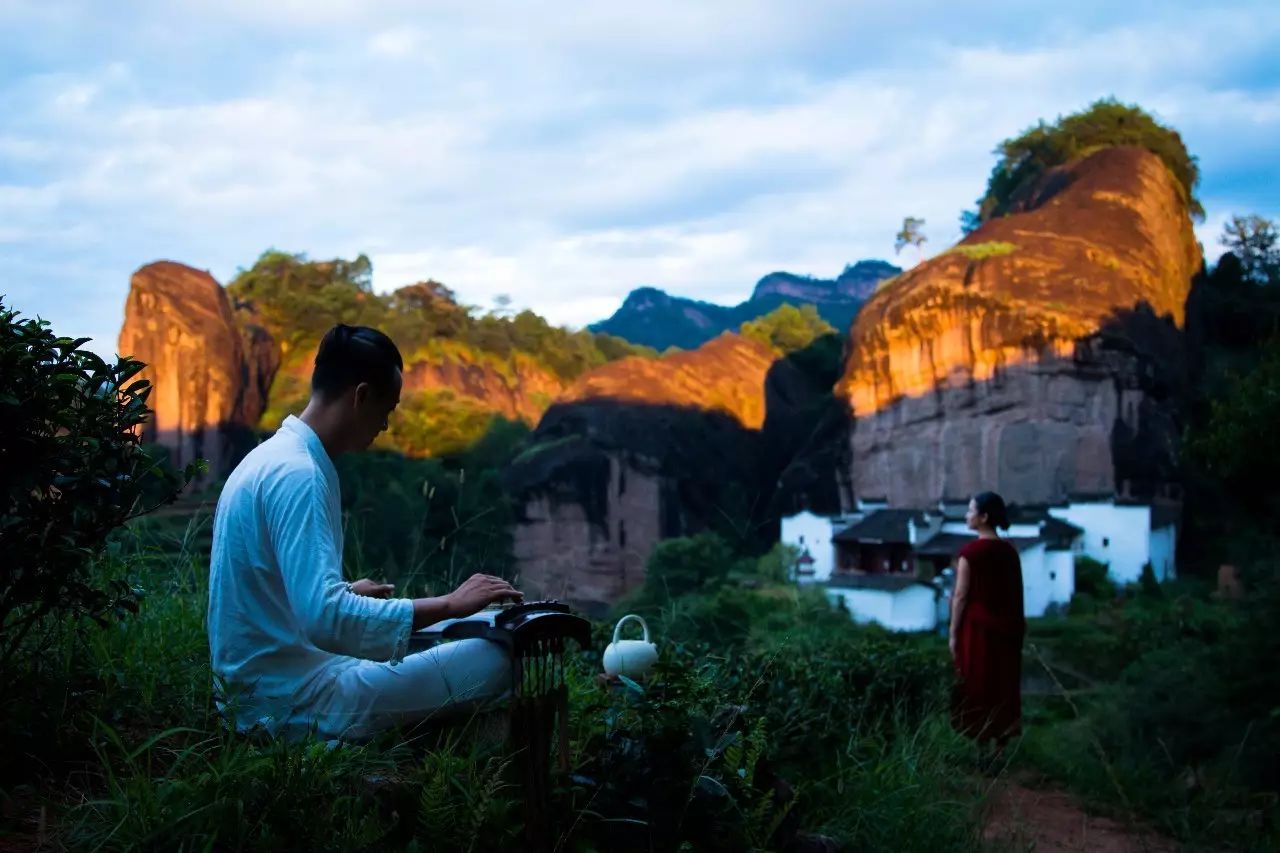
x,y
655,318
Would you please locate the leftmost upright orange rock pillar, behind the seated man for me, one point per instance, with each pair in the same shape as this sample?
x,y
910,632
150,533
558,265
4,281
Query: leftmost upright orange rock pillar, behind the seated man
x,y
209,366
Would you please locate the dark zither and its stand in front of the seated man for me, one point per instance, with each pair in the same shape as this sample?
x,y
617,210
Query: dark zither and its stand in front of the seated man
x,y
536,635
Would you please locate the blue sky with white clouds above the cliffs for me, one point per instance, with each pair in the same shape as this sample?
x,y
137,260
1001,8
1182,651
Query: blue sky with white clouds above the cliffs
x,y
568,153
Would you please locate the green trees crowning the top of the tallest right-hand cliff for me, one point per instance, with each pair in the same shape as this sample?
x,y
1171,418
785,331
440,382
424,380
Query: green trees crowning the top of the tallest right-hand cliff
x,y
1105,124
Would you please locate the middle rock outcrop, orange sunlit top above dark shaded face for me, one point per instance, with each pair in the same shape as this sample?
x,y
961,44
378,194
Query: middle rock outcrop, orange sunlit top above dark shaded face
x,y
637,451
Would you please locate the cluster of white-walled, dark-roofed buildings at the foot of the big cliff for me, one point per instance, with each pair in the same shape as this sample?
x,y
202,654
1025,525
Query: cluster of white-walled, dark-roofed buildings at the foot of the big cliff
x,y
877,560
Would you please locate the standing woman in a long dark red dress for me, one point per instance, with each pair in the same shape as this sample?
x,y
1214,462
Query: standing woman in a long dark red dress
x,y
988,628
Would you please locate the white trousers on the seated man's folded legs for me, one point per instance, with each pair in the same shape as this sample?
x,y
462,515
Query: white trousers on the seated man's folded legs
x,y
445,681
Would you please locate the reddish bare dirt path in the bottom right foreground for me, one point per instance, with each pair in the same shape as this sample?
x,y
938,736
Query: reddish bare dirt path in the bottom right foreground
x,y
1053,822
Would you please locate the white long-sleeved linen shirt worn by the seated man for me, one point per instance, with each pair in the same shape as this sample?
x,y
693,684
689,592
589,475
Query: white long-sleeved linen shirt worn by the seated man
x,y
282,623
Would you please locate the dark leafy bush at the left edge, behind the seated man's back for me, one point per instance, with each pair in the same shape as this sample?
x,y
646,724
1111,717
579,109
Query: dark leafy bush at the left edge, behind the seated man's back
x,y
71,472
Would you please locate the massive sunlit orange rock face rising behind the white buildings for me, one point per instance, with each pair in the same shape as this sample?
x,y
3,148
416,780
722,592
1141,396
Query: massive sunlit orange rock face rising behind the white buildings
x,y
1035,359
